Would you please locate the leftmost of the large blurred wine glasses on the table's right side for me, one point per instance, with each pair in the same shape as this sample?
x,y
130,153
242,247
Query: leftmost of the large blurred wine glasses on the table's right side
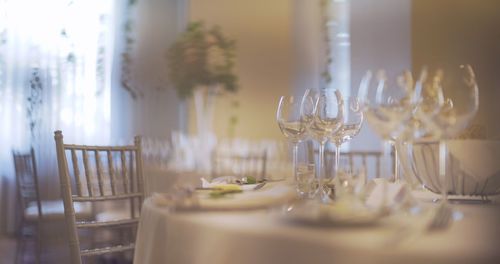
x,y
388,103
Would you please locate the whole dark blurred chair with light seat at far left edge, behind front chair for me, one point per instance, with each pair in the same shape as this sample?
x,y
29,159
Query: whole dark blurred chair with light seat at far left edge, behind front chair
x,y
35,210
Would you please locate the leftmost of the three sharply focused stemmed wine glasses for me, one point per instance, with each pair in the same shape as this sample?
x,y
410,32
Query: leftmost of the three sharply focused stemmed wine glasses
x,y
291,124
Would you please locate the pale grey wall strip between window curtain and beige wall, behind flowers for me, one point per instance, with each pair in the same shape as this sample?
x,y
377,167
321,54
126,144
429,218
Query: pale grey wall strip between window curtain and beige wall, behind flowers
x,y
156,113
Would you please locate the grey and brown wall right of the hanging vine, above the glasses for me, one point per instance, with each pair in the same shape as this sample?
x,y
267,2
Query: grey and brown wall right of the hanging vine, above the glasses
x,y
399,34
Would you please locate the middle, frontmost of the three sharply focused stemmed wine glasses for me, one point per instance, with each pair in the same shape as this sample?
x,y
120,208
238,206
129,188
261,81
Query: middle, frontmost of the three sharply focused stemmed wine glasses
x,y
323,112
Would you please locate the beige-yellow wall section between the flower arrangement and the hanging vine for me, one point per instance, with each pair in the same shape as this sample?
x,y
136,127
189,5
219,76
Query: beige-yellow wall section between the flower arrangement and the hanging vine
x,y
264,61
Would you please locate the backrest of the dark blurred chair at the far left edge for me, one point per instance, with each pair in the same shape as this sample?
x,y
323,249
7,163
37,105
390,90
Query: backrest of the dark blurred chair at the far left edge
x,y
27,179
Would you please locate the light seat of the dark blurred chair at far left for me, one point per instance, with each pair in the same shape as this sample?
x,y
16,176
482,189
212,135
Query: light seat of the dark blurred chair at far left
x,y
54,209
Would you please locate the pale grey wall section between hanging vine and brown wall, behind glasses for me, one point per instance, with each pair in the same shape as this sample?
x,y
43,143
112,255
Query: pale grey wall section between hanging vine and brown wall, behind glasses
x,y
380,38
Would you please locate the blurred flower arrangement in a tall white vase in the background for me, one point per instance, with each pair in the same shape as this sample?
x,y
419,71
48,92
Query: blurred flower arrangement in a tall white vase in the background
x,y
200,65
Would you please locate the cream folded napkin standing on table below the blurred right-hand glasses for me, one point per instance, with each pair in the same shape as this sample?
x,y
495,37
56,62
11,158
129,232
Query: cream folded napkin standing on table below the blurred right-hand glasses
x,y
381,193
